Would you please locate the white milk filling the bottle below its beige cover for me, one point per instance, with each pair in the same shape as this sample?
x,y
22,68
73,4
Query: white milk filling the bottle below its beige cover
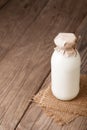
x,y
65,75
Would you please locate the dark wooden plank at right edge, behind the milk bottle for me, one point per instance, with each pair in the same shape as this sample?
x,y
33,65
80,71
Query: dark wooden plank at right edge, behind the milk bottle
x,y
82,47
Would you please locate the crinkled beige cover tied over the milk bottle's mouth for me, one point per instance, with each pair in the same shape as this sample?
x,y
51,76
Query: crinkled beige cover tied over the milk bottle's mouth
x,y
66,43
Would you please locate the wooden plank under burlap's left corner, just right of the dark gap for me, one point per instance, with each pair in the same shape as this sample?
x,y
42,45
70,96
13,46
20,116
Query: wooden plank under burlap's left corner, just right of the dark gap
x,y
35,118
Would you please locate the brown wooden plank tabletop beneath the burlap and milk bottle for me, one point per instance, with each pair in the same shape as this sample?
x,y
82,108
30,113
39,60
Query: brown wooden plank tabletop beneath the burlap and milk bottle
x,y
27,30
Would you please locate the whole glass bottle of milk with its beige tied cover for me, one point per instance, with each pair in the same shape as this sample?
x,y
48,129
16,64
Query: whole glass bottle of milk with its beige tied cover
x,y
65,67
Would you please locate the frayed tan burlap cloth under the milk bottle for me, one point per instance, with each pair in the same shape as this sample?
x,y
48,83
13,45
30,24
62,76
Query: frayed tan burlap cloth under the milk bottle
x,y
64,112
